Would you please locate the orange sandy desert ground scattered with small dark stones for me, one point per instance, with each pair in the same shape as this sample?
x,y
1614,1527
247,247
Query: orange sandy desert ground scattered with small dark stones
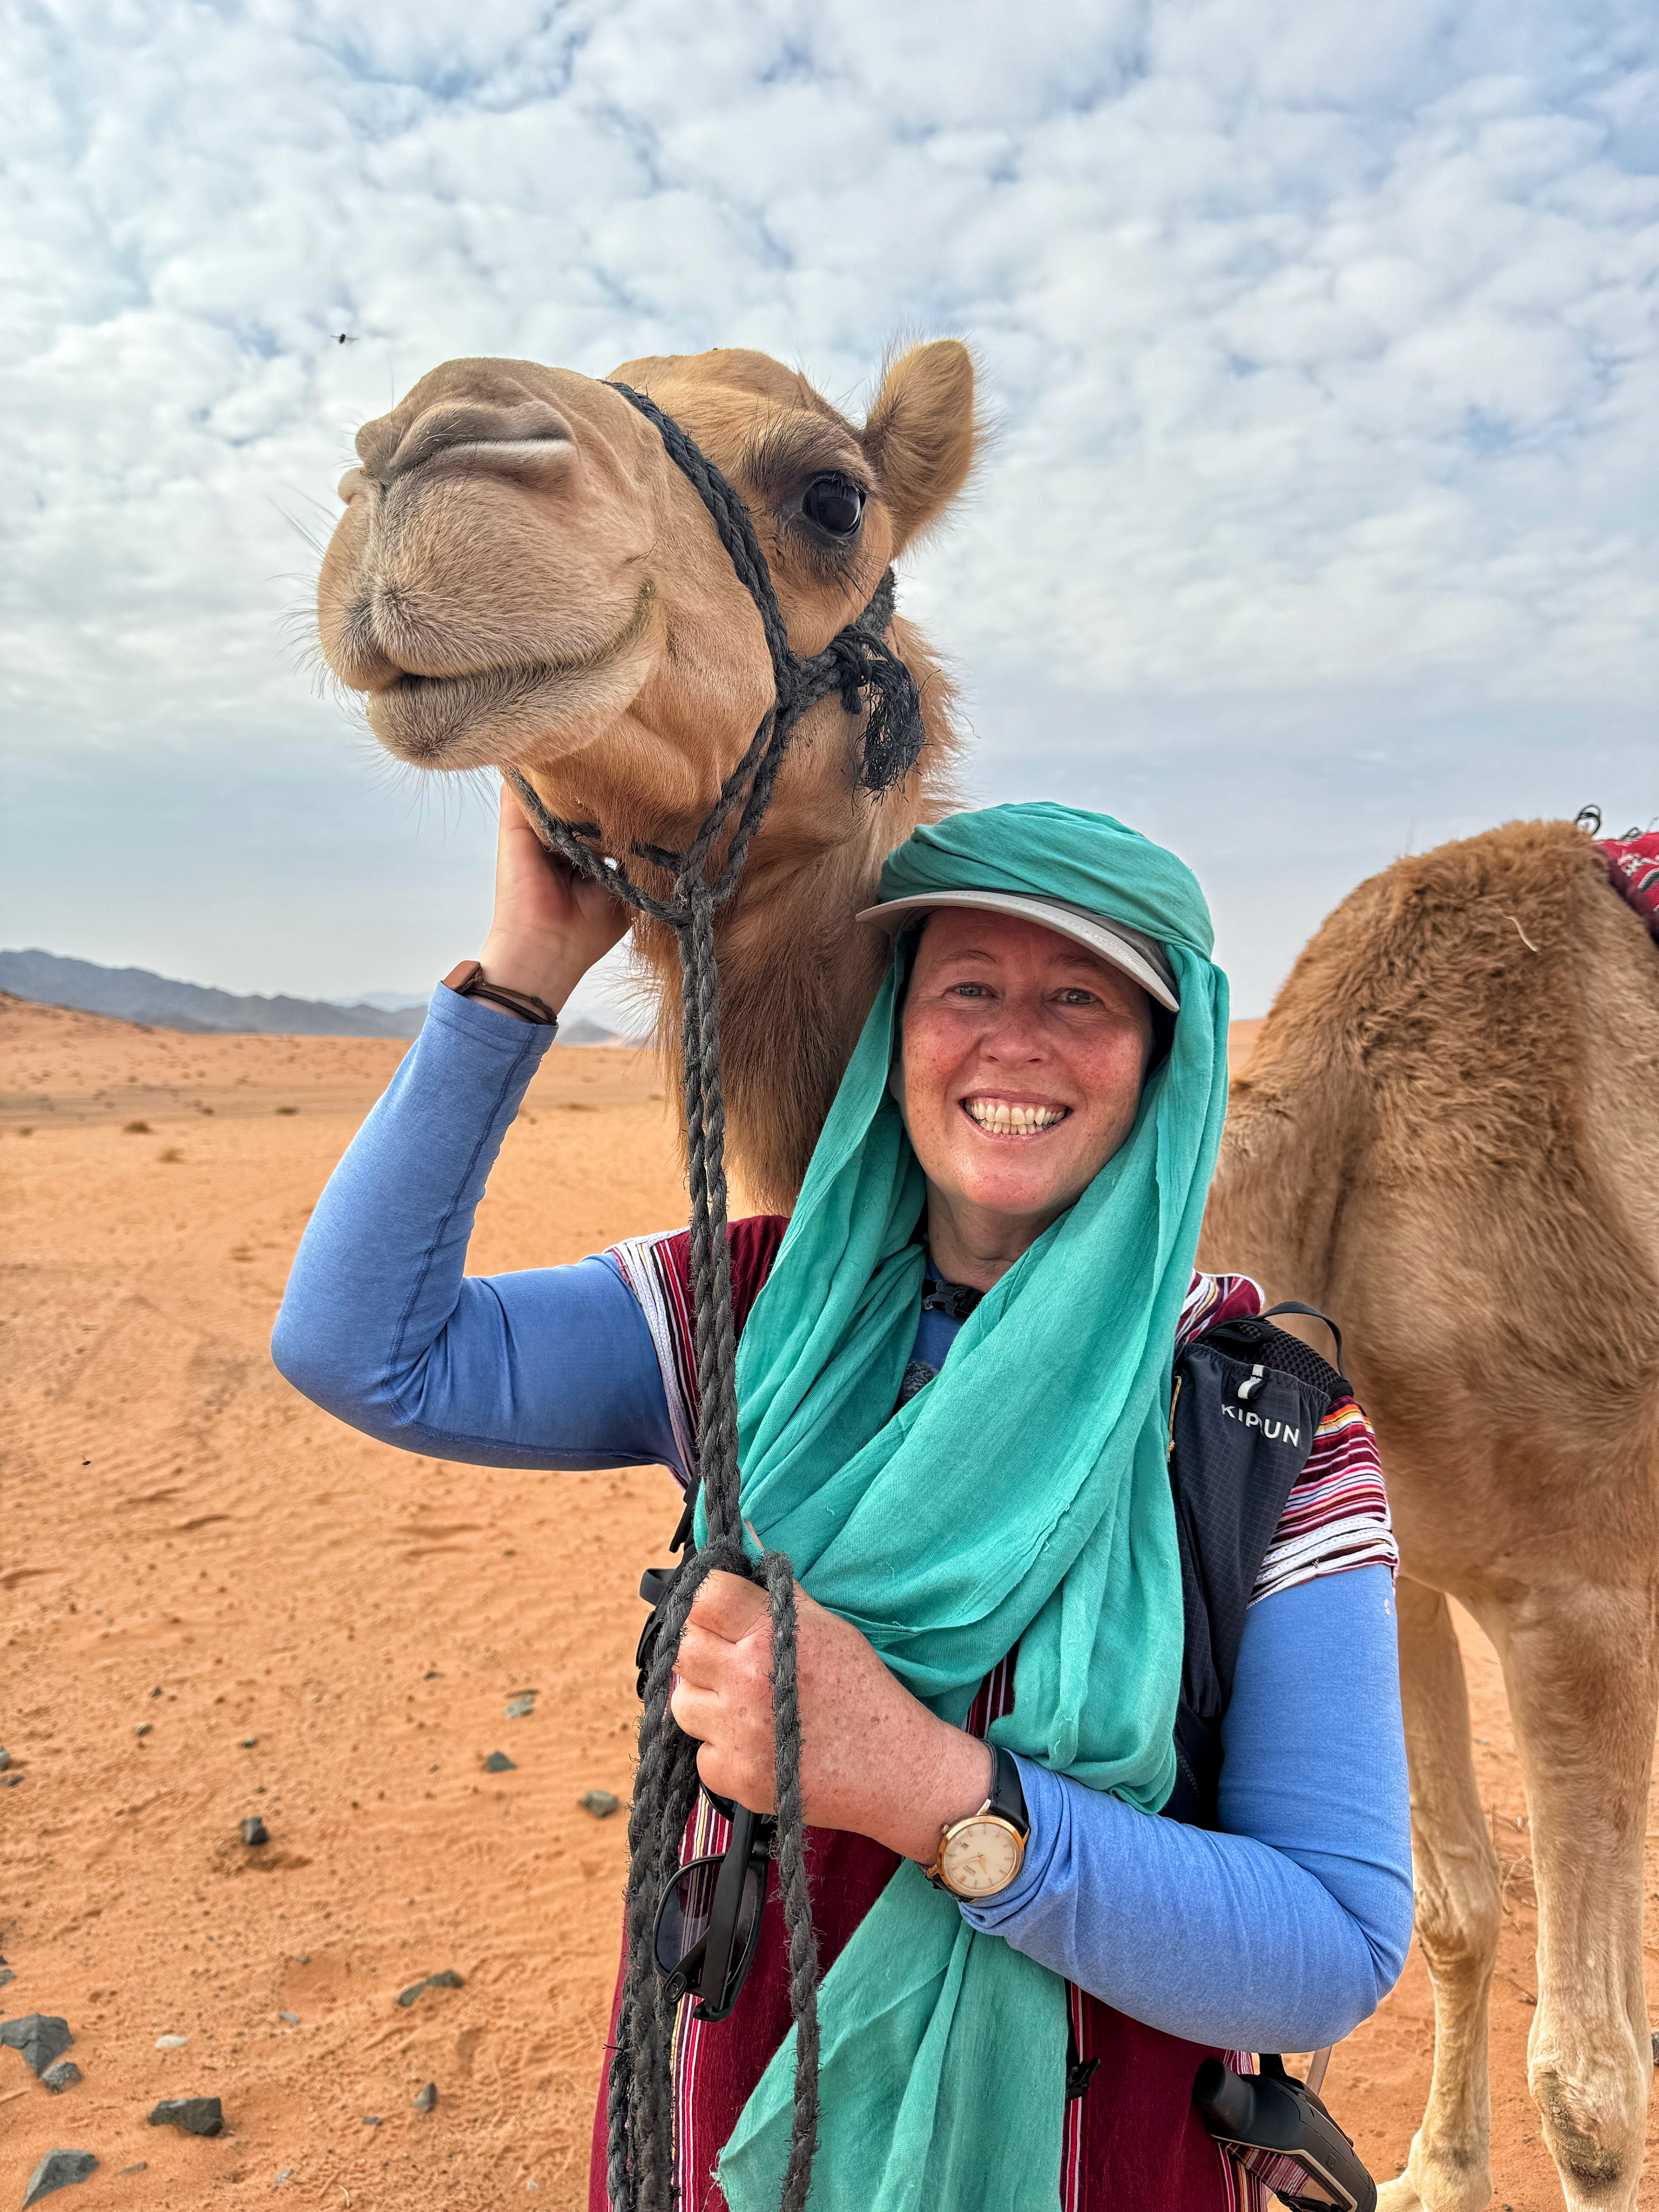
x,y
222,1605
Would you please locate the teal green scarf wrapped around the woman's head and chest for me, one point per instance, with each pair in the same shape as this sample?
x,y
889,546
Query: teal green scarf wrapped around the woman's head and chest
x,y
1021,1499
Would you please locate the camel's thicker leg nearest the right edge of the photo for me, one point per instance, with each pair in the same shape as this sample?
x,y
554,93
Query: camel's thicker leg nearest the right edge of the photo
x,y
1580,1673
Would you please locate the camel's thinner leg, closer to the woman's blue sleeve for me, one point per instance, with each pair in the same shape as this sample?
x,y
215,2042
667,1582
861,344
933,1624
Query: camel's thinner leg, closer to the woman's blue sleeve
x,y
1459,1914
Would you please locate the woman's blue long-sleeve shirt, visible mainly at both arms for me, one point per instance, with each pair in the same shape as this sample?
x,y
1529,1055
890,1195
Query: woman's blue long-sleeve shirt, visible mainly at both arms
x,y
1280,1932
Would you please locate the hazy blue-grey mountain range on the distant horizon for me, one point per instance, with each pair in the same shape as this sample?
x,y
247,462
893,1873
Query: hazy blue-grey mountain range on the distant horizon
x,y
140,997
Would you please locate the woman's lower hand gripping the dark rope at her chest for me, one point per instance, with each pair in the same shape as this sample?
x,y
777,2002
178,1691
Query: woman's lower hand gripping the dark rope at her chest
x,y
873,1757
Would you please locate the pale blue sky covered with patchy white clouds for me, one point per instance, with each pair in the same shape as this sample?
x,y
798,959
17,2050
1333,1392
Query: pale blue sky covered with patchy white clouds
x,y
1319,340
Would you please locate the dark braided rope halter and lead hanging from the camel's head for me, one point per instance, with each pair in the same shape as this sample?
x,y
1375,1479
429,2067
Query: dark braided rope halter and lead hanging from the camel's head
x,y
866,671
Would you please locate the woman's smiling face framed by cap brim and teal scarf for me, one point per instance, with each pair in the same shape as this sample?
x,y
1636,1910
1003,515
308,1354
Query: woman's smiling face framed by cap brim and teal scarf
x,y
1021,1072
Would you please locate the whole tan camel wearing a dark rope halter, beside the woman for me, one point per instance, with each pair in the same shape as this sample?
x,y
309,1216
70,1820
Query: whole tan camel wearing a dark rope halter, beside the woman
x,y
1446,1138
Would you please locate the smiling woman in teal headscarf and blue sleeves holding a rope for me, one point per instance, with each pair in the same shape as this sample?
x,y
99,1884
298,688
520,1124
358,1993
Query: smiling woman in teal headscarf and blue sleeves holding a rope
x,y
954,1386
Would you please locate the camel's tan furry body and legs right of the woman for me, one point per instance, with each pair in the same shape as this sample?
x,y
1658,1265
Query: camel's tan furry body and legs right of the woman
x,y
1448,1140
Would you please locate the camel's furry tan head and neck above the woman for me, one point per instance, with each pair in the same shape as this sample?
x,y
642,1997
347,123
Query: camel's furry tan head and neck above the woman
x,y
525,578
